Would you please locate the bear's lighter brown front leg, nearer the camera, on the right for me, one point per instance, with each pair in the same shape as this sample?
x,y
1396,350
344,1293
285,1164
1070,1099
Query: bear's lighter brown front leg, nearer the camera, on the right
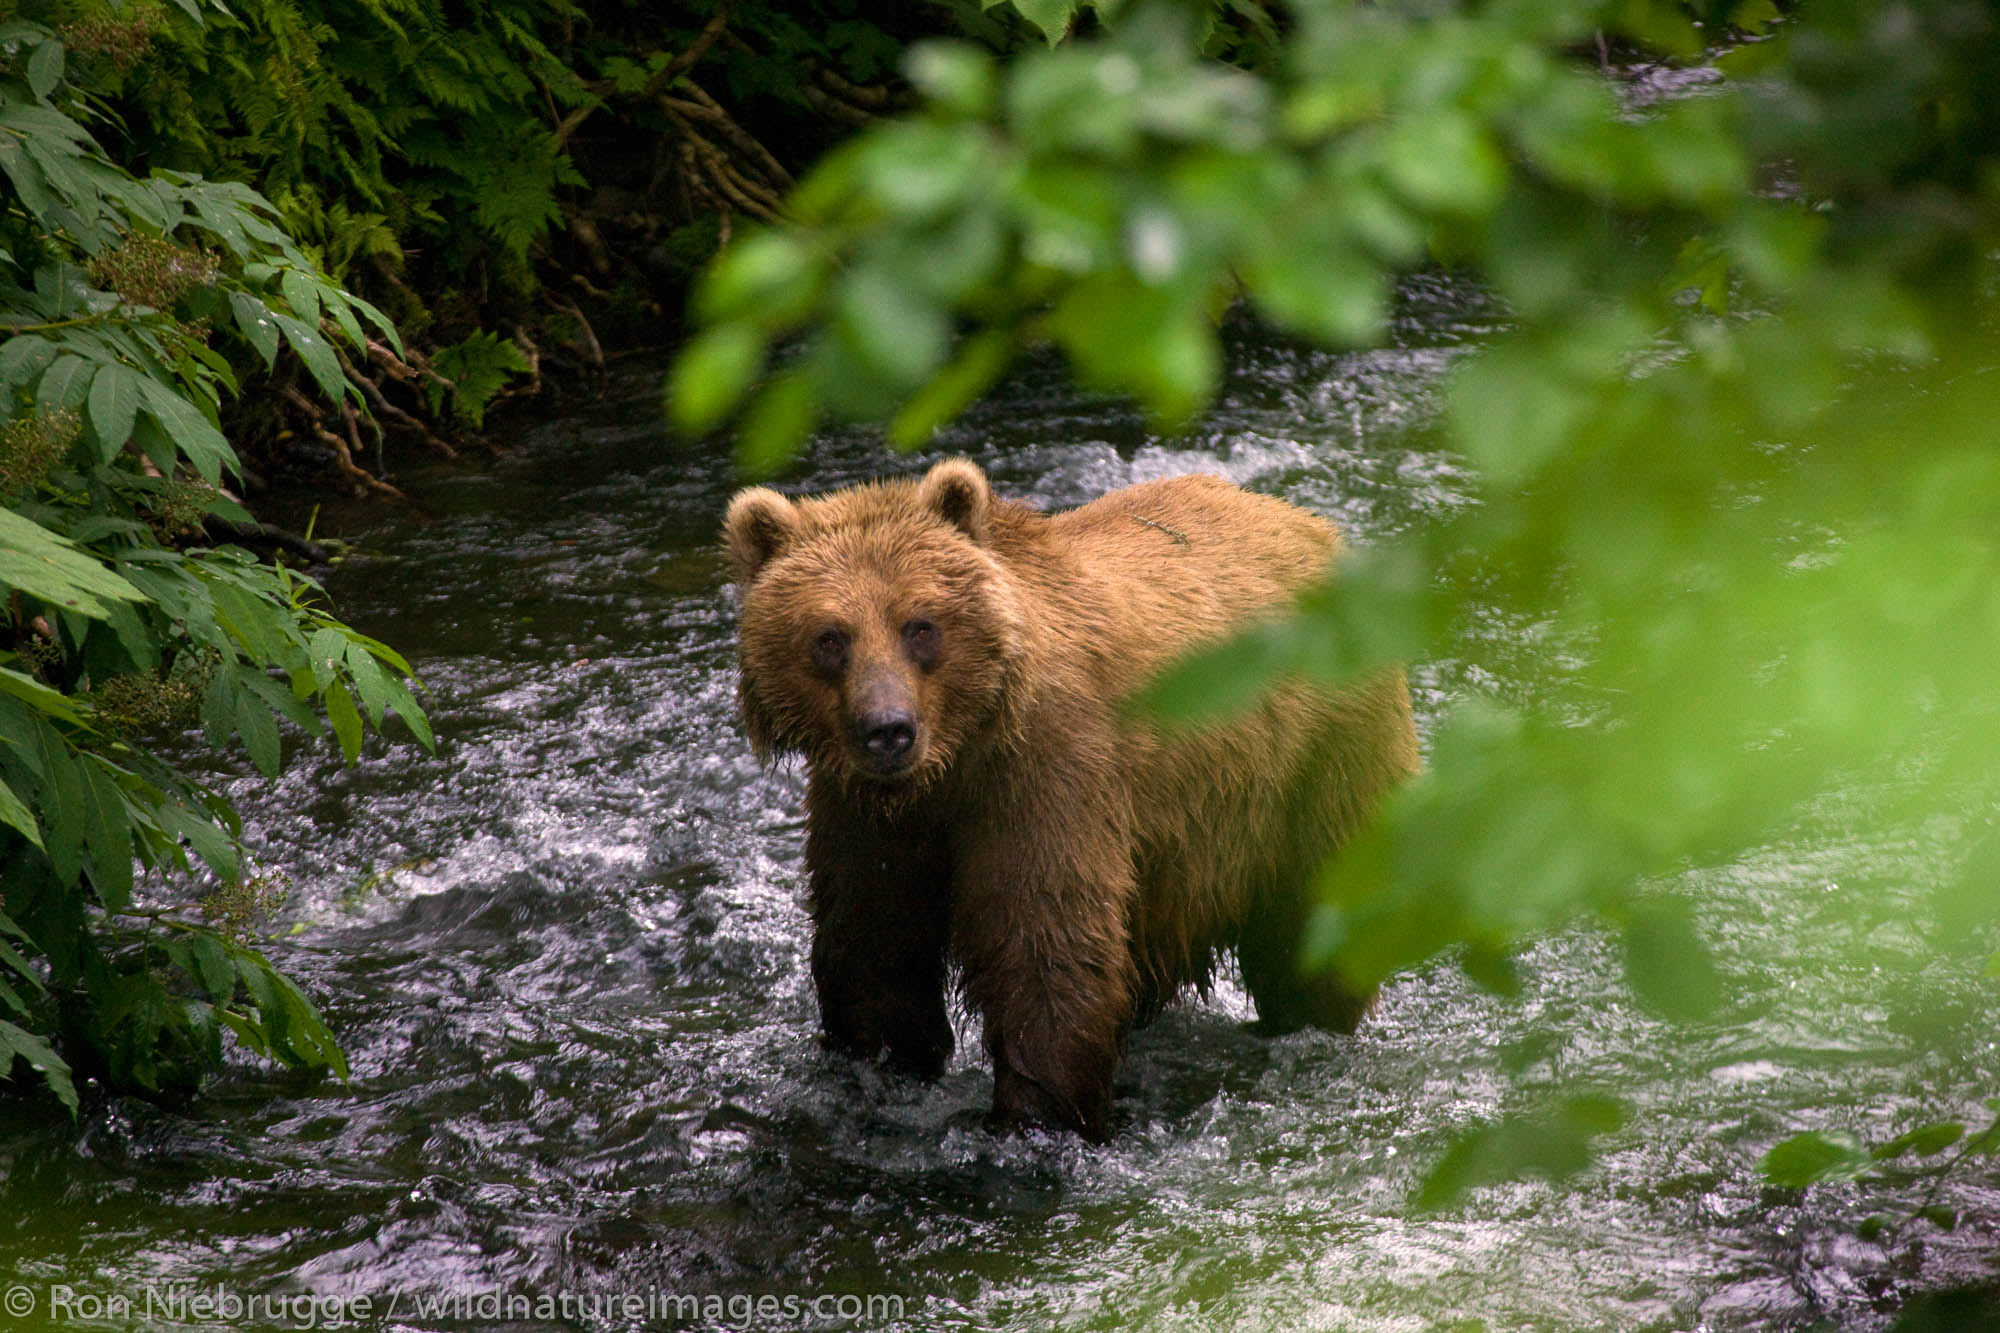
x,y
1039,926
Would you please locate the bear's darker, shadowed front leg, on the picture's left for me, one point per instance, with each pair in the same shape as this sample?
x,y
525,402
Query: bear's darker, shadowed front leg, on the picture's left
x,y
881,916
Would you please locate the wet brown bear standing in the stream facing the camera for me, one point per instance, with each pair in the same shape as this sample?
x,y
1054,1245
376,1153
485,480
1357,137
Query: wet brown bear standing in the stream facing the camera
x,y
955,668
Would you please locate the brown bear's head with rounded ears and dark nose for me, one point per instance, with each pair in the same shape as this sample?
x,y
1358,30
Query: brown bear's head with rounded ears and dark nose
x,y
879,631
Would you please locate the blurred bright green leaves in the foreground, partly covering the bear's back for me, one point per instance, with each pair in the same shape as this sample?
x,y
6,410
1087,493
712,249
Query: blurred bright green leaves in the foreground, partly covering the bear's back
x,y
1737,445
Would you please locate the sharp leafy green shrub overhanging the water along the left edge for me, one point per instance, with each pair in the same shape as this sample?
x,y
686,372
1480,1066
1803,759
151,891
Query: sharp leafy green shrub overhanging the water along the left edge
x,y
129,307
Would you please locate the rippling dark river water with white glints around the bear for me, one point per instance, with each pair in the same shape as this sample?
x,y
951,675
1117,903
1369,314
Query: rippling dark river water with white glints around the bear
x,y
569,964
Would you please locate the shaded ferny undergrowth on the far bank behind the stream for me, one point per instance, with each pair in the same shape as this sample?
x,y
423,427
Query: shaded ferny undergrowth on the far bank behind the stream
x,y
493,163
